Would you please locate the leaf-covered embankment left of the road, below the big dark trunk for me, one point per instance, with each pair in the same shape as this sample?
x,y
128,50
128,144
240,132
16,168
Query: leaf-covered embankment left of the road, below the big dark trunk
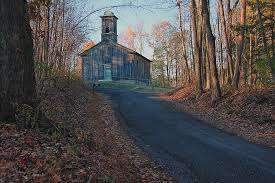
x,y
93,149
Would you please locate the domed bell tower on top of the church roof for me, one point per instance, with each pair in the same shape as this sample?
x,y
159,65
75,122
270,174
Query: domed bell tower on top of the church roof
x,y
109,27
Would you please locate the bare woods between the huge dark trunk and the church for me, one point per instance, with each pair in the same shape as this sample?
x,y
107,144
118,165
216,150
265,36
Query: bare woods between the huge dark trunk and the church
x,y
57,33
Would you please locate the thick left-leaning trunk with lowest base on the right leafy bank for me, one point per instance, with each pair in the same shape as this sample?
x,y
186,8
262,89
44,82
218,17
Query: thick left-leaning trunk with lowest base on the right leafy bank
x,y
211,51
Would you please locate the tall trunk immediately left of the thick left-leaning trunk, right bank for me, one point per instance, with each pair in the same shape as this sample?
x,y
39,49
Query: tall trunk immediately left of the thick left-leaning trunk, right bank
x,y
197,49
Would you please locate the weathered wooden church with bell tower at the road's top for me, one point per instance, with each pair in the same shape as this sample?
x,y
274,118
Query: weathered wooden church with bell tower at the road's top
x,y
109,60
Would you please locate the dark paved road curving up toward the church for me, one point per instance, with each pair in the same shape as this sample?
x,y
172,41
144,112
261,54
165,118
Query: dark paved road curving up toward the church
x,y
183,143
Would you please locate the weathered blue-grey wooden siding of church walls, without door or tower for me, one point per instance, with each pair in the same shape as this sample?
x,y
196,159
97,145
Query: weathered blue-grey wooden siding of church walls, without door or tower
x,y
124,65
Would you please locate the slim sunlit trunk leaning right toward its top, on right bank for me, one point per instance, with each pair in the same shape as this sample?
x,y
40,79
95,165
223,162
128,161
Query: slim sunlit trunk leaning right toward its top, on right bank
x,y
240,45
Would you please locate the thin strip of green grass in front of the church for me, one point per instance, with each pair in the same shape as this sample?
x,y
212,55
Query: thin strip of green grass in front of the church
x,y
131,85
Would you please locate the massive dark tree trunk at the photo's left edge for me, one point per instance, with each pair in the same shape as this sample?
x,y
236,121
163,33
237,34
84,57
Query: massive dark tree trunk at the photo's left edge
x,y
17,81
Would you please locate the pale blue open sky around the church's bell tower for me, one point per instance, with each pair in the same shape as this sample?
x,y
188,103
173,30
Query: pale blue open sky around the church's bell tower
x,y
130,16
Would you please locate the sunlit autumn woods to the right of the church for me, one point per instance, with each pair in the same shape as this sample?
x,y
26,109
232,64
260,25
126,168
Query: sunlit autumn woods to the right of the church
x,y
219,43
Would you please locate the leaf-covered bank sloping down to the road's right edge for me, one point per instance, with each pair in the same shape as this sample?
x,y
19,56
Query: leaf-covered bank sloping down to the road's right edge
x,y
246,113
